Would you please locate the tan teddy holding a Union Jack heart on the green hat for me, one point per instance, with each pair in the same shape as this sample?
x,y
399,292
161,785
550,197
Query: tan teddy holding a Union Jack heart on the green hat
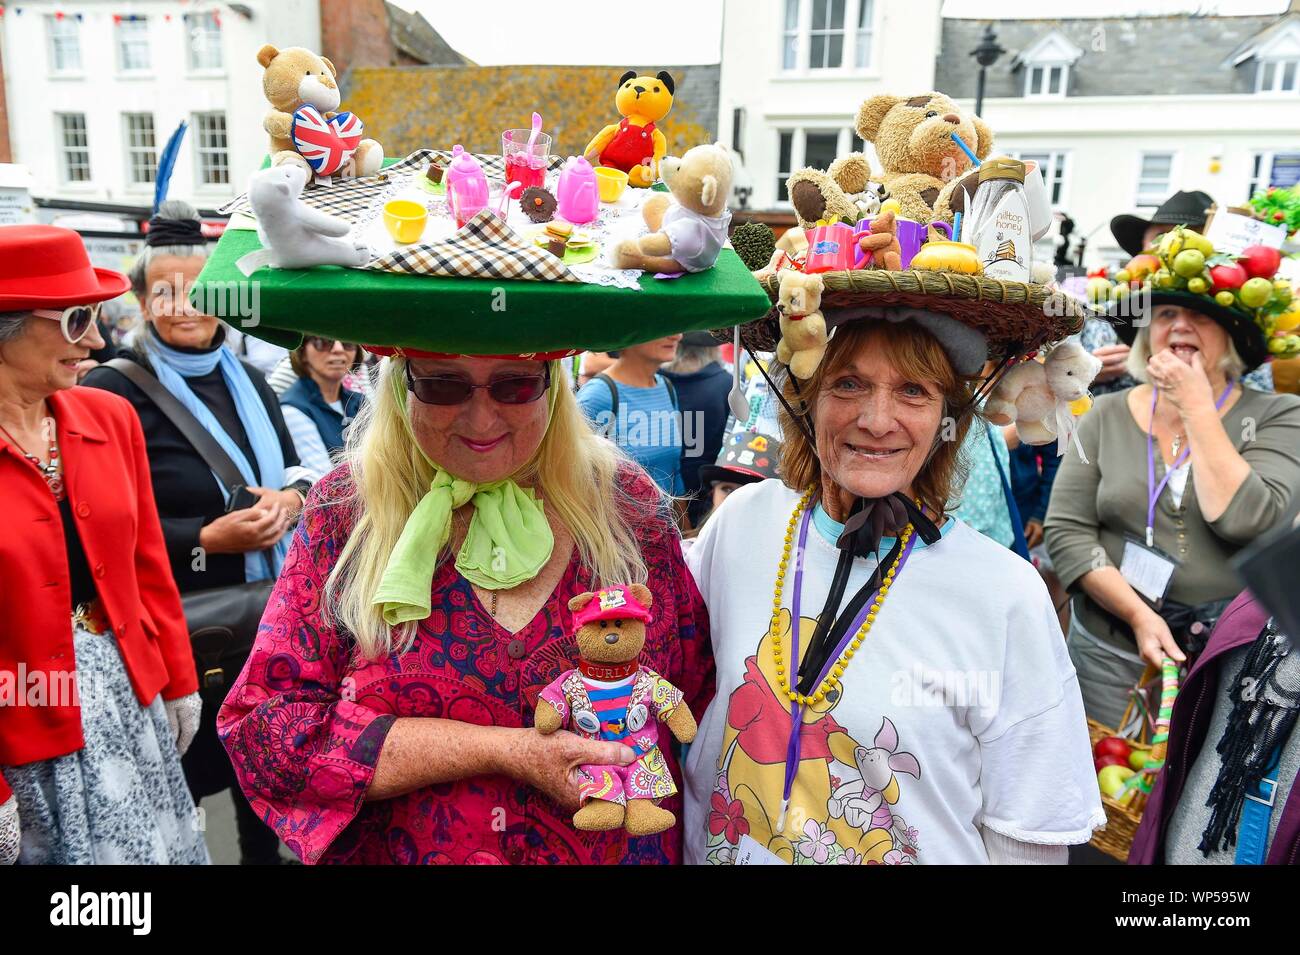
x,y
326,142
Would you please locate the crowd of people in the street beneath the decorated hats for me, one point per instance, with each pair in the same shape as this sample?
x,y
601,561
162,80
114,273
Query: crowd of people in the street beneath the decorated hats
x,y
335,581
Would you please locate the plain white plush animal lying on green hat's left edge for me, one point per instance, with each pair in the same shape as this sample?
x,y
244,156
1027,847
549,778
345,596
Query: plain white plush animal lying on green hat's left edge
x,y
296,236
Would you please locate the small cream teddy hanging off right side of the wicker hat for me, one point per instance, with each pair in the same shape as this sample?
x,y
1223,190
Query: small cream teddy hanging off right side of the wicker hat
x,y
1037,396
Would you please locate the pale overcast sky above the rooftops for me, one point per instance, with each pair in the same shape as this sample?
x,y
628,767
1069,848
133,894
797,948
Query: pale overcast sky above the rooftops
x,y
687,32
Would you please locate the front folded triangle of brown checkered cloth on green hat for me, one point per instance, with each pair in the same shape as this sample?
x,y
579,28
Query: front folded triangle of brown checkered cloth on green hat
x,y
484,249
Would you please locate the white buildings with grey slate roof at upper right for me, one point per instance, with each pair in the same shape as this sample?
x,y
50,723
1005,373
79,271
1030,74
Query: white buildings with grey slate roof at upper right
x,y
1119,114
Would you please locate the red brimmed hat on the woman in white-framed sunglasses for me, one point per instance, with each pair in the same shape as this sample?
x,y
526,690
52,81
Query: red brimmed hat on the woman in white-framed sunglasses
x,y
47,267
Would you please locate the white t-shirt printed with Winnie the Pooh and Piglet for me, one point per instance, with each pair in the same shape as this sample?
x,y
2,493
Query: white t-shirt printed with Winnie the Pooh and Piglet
x,y
960,715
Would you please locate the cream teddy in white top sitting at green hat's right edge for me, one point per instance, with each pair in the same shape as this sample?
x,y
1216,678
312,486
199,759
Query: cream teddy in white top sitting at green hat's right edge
x,y
690,228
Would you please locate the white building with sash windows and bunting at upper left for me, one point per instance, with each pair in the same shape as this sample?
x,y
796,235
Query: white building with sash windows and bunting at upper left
x,y
97,89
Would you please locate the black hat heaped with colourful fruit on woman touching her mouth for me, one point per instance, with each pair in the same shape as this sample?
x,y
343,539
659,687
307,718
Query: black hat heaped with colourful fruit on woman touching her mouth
x,y
1240,293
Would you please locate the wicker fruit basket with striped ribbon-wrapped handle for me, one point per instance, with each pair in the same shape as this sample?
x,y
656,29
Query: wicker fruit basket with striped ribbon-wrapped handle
x,y
1123,818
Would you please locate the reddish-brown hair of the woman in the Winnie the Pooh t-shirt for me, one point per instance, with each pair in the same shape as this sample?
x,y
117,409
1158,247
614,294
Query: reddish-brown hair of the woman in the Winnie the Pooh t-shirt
x,y
918,357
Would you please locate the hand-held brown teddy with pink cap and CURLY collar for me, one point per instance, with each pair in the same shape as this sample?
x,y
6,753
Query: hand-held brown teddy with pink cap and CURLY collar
x,y
612,697
